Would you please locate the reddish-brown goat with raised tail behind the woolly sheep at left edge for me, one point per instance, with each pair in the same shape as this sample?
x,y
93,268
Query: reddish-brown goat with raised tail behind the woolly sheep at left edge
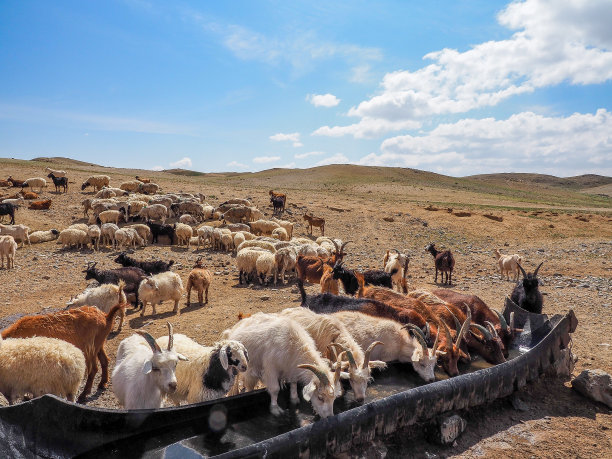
x,y
86,327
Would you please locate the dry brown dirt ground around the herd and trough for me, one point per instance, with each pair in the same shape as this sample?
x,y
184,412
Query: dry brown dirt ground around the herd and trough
x,y
575,243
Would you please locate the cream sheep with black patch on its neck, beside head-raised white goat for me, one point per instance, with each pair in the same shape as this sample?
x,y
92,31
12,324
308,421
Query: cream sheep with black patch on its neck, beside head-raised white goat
x,y
210,371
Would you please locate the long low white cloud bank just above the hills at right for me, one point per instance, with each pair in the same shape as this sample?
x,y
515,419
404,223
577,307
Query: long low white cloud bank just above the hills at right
x,y
525,142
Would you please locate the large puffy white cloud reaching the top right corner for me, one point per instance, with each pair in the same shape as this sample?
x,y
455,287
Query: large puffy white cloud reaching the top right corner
x,y
553,42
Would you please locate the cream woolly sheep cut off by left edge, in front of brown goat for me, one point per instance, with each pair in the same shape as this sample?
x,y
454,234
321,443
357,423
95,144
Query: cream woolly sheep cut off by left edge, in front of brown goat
x,y
39,366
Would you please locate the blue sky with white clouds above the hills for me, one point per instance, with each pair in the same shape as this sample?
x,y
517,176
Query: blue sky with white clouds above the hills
x,y
456,87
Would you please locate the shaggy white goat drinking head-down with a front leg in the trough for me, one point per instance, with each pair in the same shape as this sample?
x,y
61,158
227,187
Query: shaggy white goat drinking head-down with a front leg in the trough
x,y
281,350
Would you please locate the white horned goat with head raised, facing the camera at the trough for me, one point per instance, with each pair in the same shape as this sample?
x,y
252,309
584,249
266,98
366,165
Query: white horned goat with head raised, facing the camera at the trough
x,y
144,373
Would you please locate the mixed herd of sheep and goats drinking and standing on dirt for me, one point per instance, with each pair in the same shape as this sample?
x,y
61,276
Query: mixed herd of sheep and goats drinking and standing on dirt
x,y
331,337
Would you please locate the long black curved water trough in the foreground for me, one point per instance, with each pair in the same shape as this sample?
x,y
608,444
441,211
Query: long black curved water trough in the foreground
x,y
51,427
